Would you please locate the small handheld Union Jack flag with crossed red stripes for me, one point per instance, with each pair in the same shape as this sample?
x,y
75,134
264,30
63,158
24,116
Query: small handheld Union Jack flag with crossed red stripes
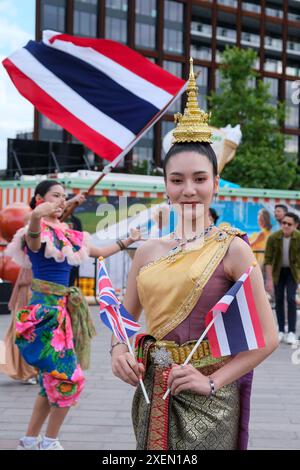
x,y
112,312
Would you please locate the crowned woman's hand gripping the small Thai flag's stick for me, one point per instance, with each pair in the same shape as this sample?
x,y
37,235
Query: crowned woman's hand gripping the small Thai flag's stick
x,y
188,378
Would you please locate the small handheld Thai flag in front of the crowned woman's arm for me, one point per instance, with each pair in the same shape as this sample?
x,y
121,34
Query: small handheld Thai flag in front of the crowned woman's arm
x,y
237,326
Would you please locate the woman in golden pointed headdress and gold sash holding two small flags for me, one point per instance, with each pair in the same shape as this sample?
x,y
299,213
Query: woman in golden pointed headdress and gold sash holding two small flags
x,y
177,280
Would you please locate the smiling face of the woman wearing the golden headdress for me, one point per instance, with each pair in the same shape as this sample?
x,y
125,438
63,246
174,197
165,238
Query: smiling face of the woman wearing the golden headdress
x,y
190,182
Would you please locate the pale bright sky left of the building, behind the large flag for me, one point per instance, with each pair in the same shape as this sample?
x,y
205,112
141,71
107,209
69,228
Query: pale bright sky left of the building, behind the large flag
x,y
17,26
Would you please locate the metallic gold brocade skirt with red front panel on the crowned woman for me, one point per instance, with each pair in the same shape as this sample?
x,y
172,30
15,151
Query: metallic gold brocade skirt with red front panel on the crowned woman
x,y
188,421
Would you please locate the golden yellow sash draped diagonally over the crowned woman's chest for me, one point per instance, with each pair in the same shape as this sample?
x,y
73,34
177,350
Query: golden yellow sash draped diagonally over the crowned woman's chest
x,y
170,287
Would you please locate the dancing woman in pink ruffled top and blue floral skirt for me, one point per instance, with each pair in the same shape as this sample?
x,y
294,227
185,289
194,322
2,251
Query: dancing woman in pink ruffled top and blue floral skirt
x,y
54,330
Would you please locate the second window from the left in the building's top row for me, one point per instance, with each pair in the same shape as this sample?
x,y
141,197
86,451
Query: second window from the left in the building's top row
x,y
85,18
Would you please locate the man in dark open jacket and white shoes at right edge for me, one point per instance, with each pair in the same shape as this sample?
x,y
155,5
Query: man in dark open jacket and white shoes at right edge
x,y
282,261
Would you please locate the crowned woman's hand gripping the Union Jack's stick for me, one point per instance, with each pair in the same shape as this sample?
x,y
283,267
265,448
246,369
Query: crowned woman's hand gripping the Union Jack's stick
x,y
125,366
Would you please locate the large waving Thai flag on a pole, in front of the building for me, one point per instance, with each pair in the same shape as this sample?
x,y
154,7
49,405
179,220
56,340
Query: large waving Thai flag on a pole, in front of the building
x,y
102,92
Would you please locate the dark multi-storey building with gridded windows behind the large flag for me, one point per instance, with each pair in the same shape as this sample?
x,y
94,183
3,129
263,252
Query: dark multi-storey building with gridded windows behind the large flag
x,y
169,31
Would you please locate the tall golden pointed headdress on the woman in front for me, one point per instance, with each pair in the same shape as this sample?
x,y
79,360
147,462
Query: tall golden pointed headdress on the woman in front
x,y
192,126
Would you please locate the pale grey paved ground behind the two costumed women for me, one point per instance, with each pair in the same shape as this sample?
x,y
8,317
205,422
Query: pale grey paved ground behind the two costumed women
x,y
102,420
